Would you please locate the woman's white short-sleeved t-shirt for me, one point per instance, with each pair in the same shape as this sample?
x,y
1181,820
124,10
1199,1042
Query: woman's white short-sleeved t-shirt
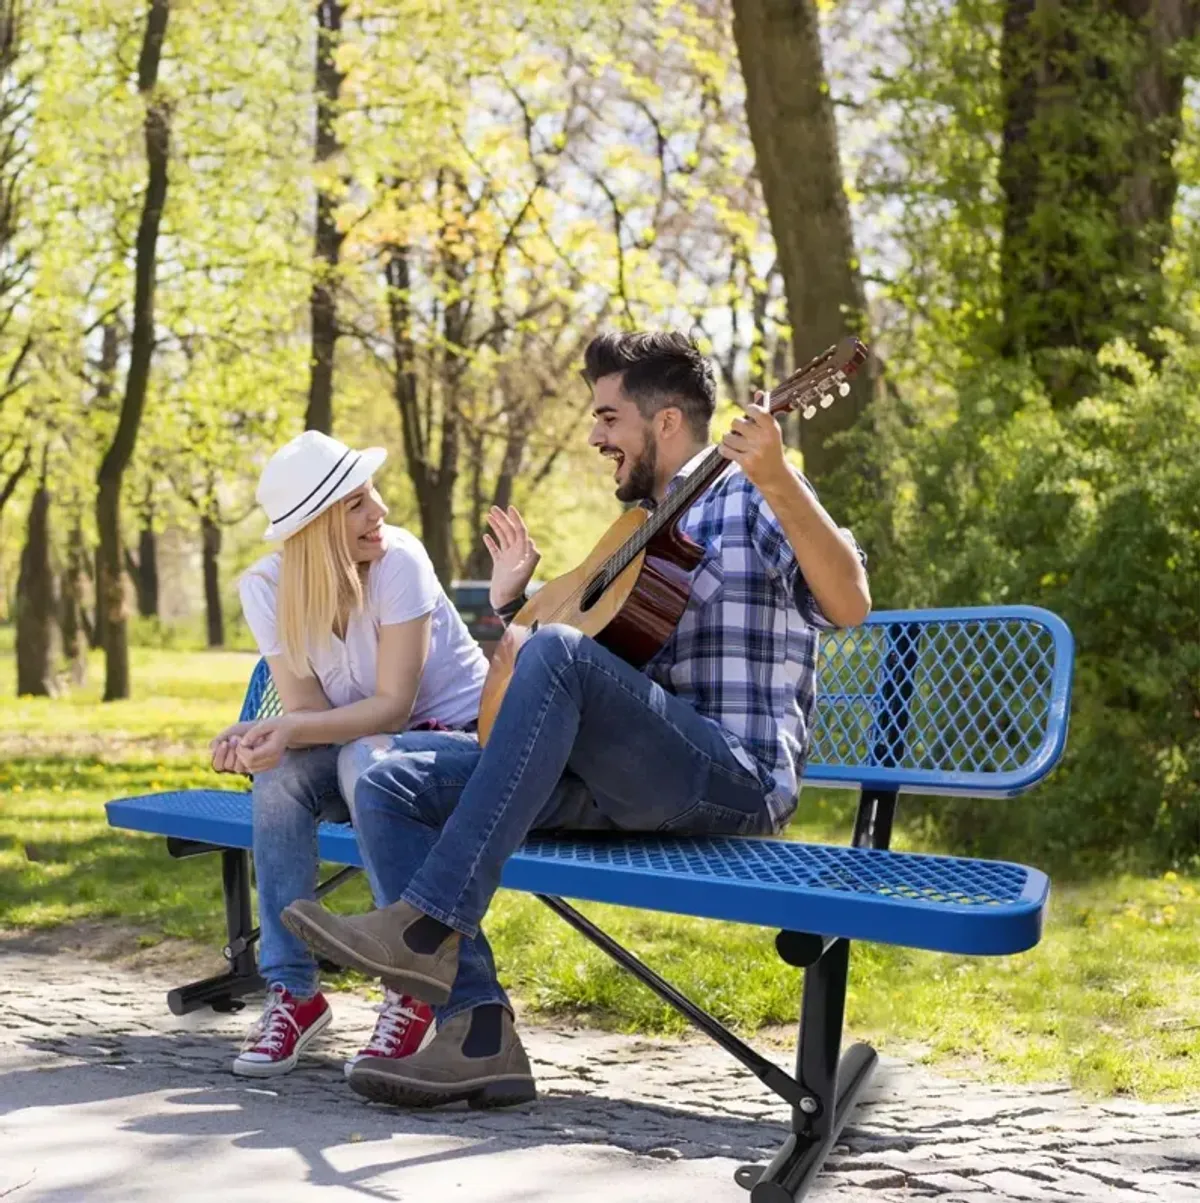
x,y
400,586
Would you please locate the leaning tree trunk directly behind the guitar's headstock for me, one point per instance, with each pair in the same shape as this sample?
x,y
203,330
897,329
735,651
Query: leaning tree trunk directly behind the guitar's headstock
x,y
795,143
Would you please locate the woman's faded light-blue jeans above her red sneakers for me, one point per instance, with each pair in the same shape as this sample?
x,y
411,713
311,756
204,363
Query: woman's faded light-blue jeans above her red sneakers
x,y
290,802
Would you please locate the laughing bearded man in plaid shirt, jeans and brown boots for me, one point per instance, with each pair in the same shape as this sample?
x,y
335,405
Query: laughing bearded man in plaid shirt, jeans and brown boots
x,y
710,739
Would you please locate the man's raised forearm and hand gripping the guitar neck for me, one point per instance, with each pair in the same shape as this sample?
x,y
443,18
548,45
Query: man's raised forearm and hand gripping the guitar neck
x,y
827,559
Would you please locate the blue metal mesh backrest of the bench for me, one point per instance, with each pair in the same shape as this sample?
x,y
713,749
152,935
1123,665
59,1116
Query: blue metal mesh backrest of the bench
x,y
937,702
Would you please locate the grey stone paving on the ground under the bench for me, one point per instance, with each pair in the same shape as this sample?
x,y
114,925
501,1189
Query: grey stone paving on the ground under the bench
x,y
106,1097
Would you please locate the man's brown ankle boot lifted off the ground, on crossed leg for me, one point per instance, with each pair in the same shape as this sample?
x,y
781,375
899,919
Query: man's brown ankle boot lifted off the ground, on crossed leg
x,y
376,944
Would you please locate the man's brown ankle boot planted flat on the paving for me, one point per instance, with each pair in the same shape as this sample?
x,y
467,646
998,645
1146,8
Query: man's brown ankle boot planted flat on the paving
x,y
477,1057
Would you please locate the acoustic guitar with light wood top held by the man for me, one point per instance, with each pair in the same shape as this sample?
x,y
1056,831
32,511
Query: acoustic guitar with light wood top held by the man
x,y
631,594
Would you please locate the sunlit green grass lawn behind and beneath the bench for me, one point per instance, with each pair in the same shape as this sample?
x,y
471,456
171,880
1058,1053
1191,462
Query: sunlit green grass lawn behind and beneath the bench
x,y
1109,1001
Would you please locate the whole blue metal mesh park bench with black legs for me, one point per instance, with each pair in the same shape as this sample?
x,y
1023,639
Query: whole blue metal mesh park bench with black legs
x,y
966,702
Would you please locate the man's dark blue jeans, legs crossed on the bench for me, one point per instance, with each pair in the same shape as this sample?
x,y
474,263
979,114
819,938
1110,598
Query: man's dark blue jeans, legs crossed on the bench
x,y
584,742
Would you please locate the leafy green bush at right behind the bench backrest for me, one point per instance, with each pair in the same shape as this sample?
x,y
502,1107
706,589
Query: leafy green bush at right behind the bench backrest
x,y
1094,512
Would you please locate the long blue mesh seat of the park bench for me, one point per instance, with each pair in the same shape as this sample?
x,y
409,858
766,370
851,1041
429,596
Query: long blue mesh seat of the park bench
x,y
944,904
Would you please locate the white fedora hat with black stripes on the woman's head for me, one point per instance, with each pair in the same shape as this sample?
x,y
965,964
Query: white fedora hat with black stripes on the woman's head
x,y
308,476
